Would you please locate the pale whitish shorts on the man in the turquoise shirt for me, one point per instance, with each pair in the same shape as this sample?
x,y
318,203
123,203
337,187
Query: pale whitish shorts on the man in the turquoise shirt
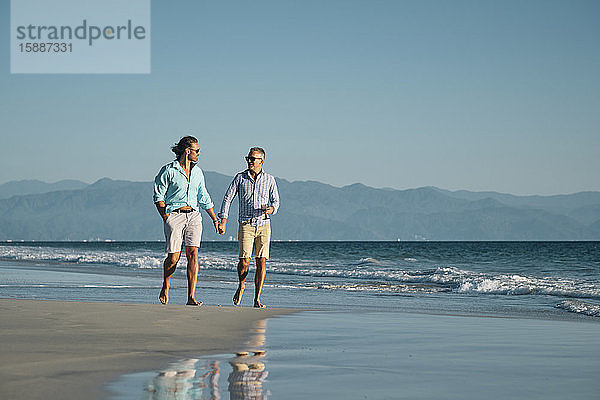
x,y
183,227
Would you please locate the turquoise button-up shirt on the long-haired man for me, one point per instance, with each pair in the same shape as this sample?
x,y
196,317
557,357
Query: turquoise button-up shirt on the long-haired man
x,y
172,186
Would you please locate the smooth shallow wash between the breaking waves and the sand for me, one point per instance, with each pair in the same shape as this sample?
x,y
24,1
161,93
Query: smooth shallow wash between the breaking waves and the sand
x,y
52,280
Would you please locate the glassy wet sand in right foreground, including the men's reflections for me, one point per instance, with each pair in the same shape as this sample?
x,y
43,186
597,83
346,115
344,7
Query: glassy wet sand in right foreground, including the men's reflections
x,y
388,355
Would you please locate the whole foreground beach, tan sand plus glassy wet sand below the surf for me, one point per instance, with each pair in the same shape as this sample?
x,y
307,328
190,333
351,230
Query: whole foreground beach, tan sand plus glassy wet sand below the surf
x,y
73,350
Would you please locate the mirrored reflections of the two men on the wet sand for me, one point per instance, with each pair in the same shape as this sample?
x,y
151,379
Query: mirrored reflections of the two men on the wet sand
x,y
194,379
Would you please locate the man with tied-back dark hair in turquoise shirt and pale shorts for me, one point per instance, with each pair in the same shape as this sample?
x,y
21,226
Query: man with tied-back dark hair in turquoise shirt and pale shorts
x,y
179,193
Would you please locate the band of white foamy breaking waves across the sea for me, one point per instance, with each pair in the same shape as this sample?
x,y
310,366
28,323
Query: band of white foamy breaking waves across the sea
x,y
366,274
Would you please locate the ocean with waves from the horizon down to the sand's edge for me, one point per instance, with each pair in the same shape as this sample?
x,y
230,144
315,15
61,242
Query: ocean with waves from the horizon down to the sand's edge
x,y
540,279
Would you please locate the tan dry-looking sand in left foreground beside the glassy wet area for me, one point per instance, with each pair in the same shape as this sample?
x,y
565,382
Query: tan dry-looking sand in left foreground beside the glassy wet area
x,y
69,350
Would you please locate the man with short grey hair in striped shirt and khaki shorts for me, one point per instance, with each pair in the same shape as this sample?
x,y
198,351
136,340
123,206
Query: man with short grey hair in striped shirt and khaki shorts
x,y
258,198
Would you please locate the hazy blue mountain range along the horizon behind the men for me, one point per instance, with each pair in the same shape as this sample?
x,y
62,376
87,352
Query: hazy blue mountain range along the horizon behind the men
x,y
123,210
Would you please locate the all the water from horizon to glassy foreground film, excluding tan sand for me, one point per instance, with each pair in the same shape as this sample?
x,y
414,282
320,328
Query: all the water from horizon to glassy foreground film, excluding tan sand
x,y
385,320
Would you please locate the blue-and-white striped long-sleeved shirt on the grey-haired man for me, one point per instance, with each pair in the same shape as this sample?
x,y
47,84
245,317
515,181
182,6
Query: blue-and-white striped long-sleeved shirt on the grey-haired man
x,y
253,195
